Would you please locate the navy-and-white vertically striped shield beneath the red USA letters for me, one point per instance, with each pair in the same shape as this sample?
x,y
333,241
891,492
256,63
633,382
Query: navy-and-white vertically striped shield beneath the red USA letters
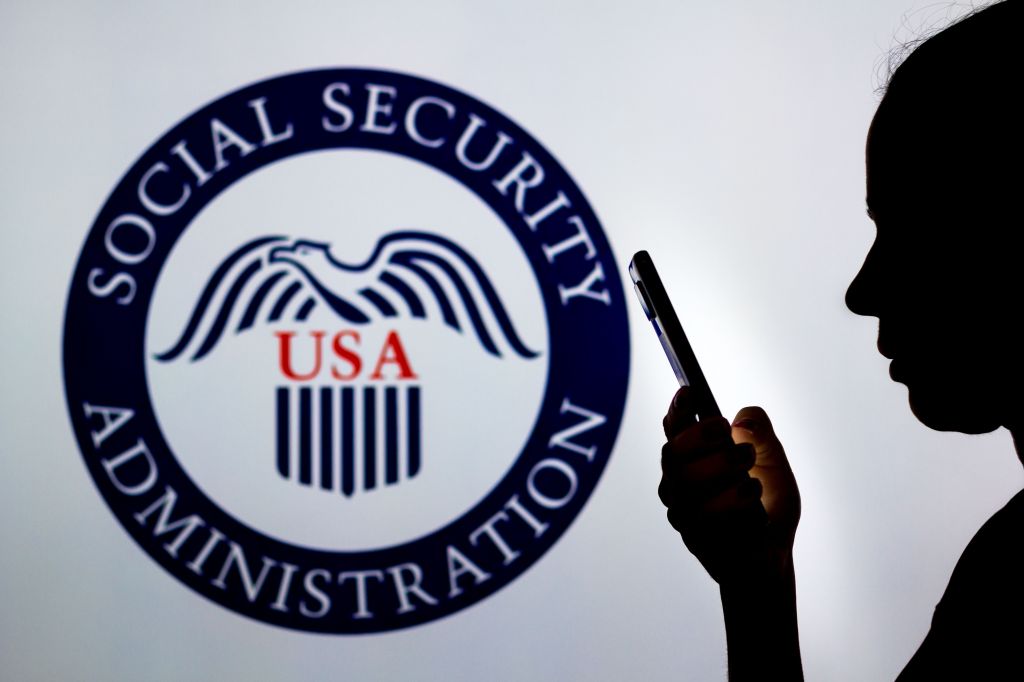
x,y
347,440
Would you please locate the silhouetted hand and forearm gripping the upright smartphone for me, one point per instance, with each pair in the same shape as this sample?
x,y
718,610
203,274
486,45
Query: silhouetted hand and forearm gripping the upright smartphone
x,y
733,497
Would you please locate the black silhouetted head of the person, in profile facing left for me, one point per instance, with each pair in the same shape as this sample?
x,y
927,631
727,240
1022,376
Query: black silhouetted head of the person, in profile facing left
x,y
945,188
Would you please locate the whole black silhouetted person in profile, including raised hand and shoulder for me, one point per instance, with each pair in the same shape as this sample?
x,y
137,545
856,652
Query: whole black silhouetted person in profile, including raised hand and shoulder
x,y
946,280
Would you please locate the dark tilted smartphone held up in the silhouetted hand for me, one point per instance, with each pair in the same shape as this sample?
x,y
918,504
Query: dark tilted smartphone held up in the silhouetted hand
x,y
659,310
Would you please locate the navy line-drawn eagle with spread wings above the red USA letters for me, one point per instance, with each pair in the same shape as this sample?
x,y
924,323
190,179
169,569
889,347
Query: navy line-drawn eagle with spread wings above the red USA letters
x,y
409,274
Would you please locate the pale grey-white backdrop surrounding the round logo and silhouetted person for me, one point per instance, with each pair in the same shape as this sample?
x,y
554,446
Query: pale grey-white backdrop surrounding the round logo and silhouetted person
x,y
726,138
